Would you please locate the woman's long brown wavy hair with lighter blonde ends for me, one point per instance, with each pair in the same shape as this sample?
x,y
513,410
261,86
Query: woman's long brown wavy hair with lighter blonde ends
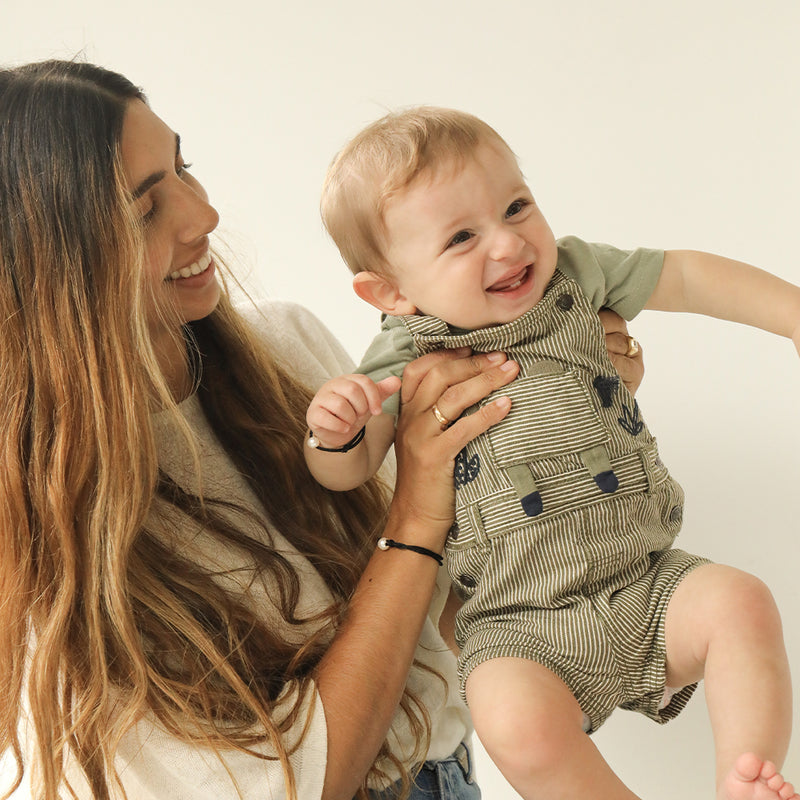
x,y
94,603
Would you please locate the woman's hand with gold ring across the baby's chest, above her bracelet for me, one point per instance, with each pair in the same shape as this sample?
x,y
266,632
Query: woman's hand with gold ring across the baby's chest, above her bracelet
x,y
437,389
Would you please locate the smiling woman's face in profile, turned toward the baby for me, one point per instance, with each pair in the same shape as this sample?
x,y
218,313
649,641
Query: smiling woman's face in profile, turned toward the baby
x,y
176,215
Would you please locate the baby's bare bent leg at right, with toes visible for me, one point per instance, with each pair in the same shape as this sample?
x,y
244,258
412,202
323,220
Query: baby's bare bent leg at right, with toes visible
x,y
722,625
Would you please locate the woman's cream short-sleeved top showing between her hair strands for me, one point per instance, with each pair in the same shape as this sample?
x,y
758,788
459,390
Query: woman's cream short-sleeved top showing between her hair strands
x,y
154,765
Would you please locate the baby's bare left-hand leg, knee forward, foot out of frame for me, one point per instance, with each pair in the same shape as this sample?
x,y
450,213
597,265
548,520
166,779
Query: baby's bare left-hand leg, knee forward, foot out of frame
x,y
531,726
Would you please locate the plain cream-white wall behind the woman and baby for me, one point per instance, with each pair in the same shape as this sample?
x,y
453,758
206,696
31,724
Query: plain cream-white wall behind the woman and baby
x,y
670,125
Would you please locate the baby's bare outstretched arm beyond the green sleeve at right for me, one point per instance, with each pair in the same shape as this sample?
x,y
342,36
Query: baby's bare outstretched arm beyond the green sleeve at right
x,y
702,283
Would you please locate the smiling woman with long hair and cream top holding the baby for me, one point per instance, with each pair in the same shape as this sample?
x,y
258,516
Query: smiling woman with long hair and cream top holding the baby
x,y
185,613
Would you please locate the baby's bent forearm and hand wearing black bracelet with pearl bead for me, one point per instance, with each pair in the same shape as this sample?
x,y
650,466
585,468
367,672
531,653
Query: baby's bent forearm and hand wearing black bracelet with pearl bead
x,y
339,410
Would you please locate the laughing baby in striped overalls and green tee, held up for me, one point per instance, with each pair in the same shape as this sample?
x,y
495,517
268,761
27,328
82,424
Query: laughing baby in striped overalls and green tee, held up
x,y
574,600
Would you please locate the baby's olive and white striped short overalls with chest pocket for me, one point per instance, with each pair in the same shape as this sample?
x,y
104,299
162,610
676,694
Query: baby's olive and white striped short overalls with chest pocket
x,y
565,515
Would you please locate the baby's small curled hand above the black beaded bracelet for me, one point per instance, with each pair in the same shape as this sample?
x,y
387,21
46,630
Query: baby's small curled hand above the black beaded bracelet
x,y
343,405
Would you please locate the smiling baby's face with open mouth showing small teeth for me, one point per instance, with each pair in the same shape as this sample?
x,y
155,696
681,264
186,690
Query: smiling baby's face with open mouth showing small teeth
x,y
469,244
